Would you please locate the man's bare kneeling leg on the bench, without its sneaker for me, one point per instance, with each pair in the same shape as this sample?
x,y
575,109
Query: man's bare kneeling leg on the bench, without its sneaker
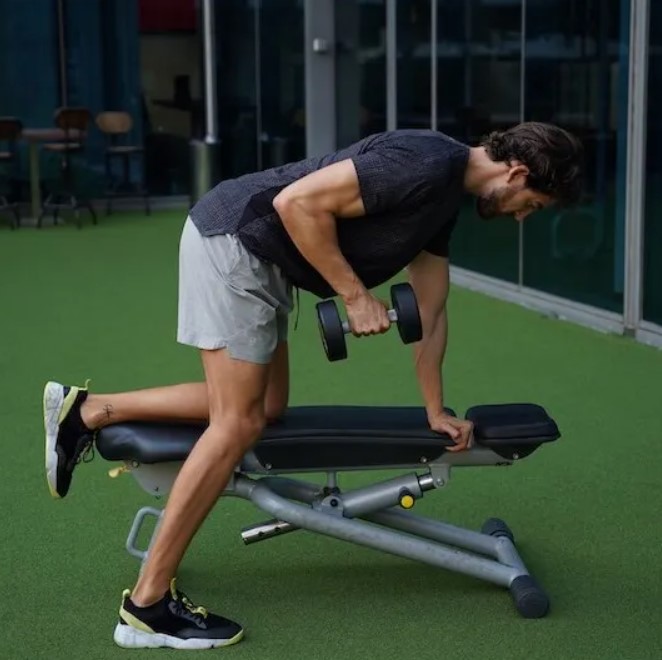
x,y
187,402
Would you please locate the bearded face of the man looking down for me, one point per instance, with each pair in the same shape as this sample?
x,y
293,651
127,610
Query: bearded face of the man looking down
x,y
511,197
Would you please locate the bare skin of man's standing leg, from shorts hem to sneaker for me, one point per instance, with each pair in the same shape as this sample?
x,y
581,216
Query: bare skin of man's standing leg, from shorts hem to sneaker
x,y
236,394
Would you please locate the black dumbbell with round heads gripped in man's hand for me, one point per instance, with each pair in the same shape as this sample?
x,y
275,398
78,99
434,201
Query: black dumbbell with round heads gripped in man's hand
x,y
404,313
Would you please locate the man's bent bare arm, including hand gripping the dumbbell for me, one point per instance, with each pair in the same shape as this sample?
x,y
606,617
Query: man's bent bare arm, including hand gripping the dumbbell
x,y
308,209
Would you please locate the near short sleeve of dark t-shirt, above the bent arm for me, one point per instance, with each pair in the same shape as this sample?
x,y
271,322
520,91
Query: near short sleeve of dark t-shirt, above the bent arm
x,y
393,172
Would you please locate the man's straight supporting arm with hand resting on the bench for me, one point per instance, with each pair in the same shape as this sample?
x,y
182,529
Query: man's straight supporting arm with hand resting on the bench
x,y
428,275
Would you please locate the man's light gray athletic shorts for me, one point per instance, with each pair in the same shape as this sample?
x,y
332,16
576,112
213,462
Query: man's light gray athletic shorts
x,y
230,299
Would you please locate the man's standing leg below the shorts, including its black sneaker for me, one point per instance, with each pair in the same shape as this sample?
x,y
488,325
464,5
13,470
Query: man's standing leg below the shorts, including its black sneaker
x,y
156,613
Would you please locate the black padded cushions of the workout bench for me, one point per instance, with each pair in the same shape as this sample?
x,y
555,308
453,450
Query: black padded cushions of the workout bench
x,y
313,437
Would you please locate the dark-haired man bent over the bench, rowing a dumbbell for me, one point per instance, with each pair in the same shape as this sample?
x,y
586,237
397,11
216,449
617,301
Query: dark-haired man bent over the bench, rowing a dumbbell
x,y
337,225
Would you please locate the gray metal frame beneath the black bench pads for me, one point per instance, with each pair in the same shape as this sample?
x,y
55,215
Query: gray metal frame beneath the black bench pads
x,y
370,516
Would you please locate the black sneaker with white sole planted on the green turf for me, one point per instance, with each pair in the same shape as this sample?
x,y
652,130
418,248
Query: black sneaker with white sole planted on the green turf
x,y
174,622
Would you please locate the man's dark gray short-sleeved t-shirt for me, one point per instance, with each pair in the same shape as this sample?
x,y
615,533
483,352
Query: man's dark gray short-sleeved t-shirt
x,y
411,182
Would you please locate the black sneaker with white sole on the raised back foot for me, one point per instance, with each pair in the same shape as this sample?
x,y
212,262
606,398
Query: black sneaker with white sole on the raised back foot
x,y
67,438
